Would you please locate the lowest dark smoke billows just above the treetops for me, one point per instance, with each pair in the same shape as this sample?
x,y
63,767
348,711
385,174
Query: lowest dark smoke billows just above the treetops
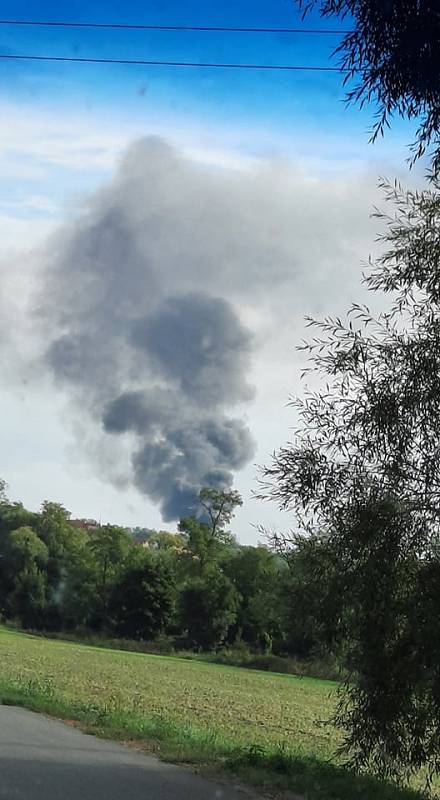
x,y
180,452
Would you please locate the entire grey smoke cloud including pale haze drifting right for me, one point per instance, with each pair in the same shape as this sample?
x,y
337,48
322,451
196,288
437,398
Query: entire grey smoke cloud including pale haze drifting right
x,y
145,299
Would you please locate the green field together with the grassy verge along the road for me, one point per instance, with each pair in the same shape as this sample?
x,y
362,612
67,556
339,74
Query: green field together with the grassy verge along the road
x,y
266,727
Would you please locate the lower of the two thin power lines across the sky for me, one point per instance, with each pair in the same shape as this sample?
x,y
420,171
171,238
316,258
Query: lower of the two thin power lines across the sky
x,y
160,63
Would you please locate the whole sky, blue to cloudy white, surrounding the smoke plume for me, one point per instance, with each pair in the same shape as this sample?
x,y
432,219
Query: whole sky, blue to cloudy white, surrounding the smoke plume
x,y
64,127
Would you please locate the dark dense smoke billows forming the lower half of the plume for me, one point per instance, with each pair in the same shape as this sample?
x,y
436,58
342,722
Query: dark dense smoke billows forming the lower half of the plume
x,y
197,348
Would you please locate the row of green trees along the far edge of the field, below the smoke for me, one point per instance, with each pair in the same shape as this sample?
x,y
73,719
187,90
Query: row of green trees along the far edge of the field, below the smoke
x,y
197,585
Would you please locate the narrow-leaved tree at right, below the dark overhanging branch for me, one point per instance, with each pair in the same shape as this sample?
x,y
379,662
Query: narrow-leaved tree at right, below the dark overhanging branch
x,y
363,472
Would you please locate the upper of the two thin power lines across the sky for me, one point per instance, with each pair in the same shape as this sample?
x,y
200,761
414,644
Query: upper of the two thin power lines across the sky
x,y
182,28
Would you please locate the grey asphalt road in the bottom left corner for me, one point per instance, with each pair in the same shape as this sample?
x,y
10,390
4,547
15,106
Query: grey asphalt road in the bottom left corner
x,y
43,759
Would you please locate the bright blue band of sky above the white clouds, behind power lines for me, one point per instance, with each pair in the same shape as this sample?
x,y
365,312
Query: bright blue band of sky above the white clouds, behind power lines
x,y
283,103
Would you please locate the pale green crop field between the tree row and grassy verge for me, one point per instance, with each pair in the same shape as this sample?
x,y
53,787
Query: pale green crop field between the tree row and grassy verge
x,y
242,705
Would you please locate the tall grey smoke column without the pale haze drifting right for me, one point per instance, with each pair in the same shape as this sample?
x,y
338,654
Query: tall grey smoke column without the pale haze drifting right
x,y
143,349
